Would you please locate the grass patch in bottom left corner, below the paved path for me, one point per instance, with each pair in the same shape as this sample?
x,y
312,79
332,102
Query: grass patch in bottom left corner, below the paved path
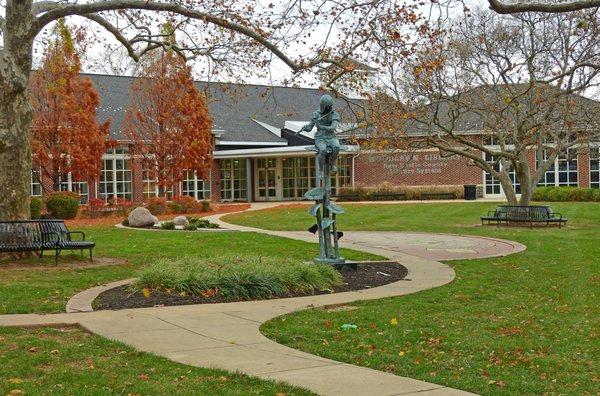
x,y
69,361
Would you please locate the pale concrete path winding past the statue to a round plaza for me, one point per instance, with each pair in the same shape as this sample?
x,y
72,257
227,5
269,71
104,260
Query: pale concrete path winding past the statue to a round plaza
x,y
227,335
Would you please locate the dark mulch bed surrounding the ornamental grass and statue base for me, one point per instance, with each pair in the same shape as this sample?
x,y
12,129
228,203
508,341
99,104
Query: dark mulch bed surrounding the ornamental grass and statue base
x,y
368,275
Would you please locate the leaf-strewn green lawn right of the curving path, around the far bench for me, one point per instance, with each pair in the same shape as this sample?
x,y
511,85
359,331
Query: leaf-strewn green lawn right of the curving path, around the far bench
x,y
522,324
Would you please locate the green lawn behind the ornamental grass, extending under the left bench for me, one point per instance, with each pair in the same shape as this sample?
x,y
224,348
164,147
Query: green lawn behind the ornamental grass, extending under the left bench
x,y
48,290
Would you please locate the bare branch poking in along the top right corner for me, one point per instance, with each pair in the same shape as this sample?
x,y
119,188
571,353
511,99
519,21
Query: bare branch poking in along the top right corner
x,y
551,6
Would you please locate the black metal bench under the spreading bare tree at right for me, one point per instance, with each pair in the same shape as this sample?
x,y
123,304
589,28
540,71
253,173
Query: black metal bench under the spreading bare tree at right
x,y
524,214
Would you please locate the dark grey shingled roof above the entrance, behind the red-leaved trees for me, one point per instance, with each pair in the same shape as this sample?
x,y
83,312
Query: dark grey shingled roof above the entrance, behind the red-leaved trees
x,y
232,107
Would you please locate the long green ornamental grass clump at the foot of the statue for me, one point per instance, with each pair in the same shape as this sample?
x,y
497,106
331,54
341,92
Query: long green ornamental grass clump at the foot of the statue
x,y
237,277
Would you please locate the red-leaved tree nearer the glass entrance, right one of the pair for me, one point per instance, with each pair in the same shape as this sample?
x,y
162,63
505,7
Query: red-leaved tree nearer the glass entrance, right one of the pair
x,y
168,120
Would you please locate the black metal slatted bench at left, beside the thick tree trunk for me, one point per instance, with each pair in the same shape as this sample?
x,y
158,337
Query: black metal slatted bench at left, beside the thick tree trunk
x,y
40,236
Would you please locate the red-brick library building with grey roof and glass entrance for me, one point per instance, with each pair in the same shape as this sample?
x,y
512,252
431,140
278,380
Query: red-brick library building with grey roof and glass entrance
x,y
258,156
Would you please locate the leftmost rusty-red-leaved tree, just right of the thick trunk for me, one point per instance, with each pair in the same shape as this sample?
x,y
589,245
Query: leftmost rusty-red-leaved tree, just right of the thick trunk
x,y
65,135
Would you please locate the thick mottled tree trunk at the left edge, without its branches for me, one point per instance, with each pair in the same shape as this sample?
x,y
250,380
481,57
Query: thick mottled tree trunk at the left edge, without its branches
x,y
16,115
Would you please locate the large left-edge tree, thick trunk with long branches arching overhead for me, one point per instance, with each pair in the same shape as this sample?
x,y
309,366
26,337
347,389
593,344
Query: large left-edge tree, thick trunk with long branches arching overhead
x,y
235,36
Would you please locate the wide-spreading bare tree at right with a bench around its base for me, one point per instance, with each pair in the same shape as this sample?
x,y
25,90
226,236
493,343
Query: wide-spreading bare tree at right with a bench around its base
x,y
504,92
